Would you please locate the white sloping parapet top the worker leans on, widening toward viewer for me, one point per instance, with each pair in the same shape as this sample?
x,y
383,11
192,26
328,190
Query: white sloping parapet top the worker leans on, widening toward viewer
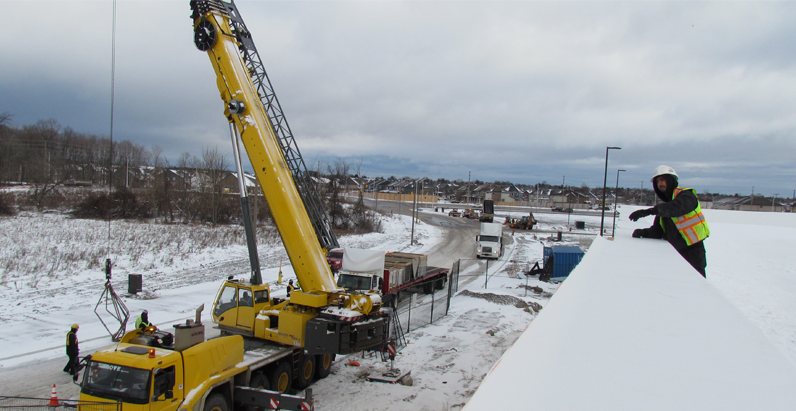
x,y
636,327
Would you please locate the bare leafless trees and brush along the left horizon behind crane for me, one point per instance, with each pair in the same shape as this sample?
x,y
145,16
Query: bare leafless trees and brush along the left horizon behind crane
x,y
127,180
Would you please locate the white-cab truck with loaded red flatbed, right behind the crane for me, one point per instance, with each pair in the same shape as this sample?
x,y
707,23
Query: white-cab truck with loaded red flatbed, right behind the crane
x,y
389,273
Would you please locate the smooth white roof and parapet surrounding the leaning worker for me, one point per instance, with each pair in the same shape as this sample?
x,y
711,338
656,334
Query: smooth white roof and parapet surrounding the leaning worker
x,y
636,327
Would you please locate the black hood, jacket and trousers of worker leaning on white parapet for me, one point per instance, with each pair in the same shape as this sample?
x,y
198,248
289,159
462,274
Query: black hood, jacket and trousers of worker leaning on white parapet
x,y
684,203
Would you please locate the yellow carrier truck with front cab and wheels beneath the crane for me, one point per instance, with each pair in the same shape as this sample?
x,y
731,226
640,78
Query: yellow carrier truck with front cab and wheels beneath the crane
x,y
154,370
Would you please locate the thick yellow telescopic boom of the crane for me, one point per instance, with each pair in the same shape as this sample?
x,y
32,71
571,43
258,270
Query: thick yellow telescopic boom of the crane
x,y
214,34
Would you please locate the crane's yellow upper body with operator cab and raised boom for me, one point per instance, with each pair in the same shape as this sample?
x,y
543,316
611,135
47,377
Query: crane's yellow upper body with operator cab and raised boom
x,y
321,318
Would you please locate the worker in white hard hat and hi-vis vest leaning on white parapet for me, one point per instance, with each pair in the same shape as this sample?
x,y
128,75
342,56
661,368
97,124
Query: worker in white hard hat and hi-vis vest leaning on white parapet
x,y
678,219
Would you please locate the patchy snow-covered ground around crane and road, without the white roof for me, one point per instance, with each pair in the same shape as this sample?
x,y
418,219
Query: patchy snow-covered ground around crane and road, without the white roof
x,y
447,359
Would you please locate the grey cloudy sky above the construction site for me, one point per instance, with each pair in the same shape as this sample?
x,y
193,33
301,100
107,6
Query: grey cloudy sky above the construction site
x,y
526,91
